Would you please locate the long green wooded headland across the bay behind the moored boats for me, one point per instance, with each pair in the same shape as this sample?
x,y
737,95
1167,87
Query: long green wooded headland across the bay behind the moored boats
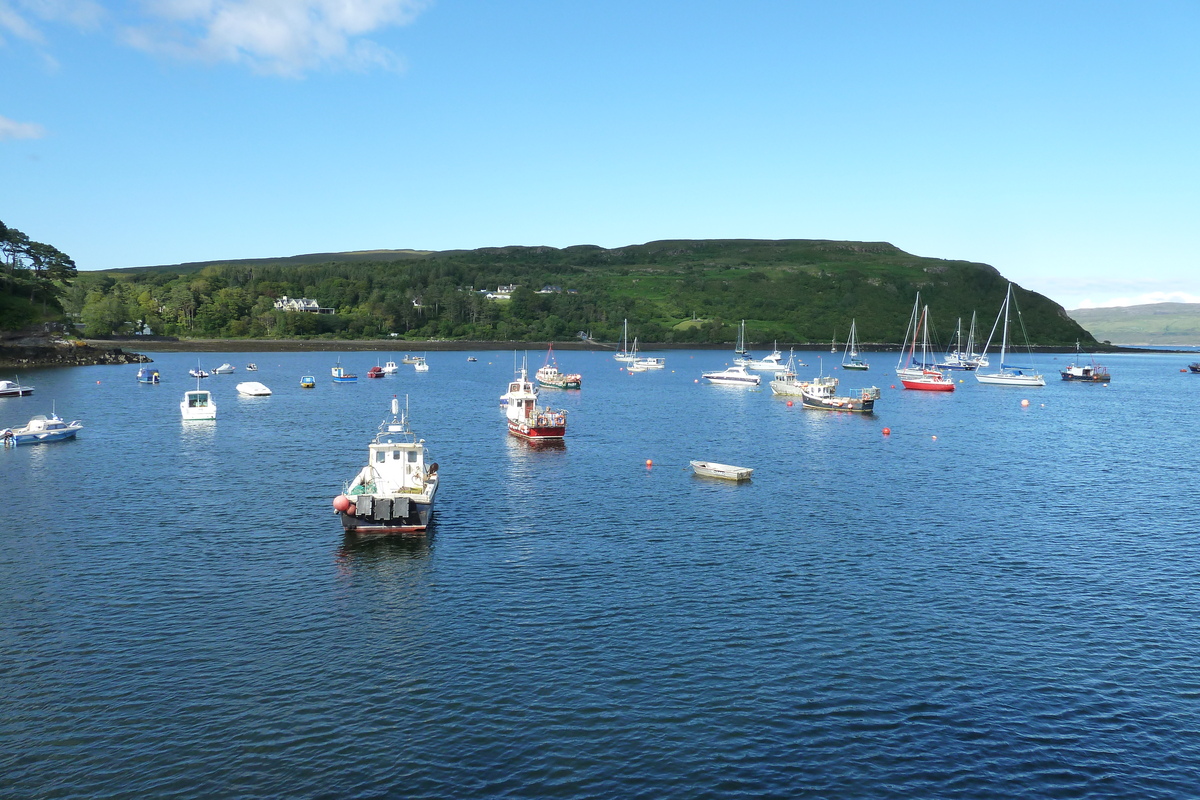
x,y
671,292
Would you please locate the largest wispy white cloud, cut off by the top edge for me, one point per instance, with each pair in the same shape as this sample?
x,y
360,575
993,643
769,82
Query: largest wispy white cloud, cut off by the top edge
x,y
286,38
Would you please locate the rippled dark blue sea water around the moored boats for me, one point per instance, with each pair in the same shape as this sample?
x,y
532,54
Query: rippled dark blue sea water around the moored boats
x,y
994,601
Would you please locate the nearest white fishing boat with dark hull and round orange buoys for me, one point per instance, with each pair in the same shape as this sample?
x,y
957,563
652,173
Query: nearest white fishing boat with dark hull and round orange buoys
x,y
394,494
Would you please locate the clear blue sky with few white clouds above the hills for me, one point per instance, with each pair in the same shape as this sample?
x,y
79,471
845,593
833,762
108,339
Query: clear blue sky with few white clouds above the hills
x,y
1054,141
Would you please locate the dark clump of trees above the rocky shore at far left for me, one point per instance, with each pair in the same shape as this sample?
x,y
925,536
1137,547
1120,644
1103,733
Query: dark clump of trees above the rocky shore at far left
x,y
33,278
